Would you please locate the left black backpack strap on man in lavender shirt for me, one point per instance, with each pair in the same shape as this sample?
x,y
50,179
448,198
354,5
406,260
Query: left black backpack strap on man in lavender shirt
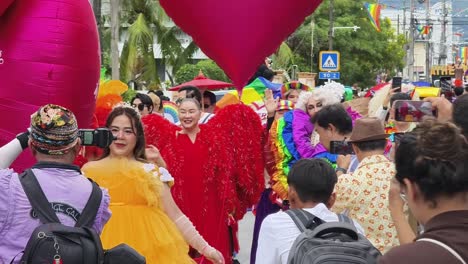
x,y
37,198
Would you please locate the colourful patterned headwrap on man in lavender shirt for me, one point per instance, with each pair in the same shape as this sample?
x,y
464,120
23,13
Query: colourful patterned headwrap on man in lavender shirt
x,y
54,130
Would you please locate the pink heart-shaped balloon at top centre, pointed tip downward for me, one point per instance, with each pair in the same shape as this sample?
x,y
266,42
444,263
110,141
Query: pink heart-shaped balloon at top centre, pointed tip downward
x,y
239,34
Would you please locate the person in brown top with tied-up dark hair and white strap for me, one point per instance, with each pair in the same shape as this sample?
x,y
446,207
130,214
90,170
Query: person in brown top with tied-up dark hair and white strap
x,y
431,176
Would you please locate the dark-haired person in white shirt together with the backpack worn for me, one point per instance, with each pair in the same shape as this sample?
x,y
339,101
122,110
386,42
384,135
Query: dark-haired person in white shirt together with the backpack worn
x,y
286,235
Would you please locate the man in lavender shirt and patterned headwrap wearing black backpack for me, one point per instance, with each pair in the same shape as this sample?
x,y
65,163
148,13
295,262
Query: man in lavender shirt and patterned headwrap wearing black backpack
x,y
54,143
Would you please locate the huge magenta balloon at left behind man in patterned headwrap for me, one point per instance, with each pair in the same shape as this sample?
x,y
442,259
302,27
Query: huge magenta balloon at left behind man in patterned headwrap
x,y
49,53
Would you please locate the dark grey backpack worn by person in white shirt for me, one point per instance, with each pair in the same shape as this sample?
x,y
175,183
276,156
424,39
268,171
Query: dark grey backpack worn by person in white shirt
x,y
329,243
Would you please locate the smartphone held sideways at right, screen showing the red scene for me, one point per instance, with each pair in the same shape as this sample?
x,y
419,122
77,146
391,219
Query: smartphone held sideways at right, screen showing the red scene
x,y
412,111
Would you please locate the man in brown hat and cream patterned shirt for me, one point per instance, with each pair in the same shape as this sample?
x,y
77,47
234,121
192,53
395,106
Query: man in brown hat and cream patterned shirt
x,y
363,193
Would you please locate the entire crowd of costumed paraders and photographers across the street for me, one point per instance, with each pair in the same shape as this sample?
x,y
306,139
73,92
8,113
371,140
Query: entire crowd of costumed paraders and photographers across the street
x,y
174,191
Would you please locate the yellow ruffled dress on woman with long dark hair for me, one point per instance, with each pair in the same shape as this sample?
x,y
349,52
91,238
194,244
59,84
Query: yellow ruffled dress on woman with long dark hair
x,y
138,218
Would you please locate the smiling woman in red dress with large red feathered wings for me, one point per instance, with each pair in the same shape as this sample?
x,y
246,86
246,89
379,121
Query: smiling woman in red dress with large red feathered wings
x,y
218,167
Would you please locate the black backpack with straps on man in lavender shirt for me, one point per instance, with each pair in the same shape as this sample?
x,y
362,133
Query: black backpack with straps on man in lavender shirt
x,y
53,242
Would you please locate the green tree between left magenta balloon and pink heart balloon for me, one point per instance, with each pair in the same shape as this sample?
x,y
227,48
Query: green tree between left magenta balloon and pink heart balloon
x,y
144,16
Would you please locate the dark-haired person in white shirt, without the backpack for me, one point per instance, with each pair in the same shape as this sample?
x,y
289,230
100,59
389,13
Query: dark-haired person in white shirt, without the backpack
x,y
311,184
